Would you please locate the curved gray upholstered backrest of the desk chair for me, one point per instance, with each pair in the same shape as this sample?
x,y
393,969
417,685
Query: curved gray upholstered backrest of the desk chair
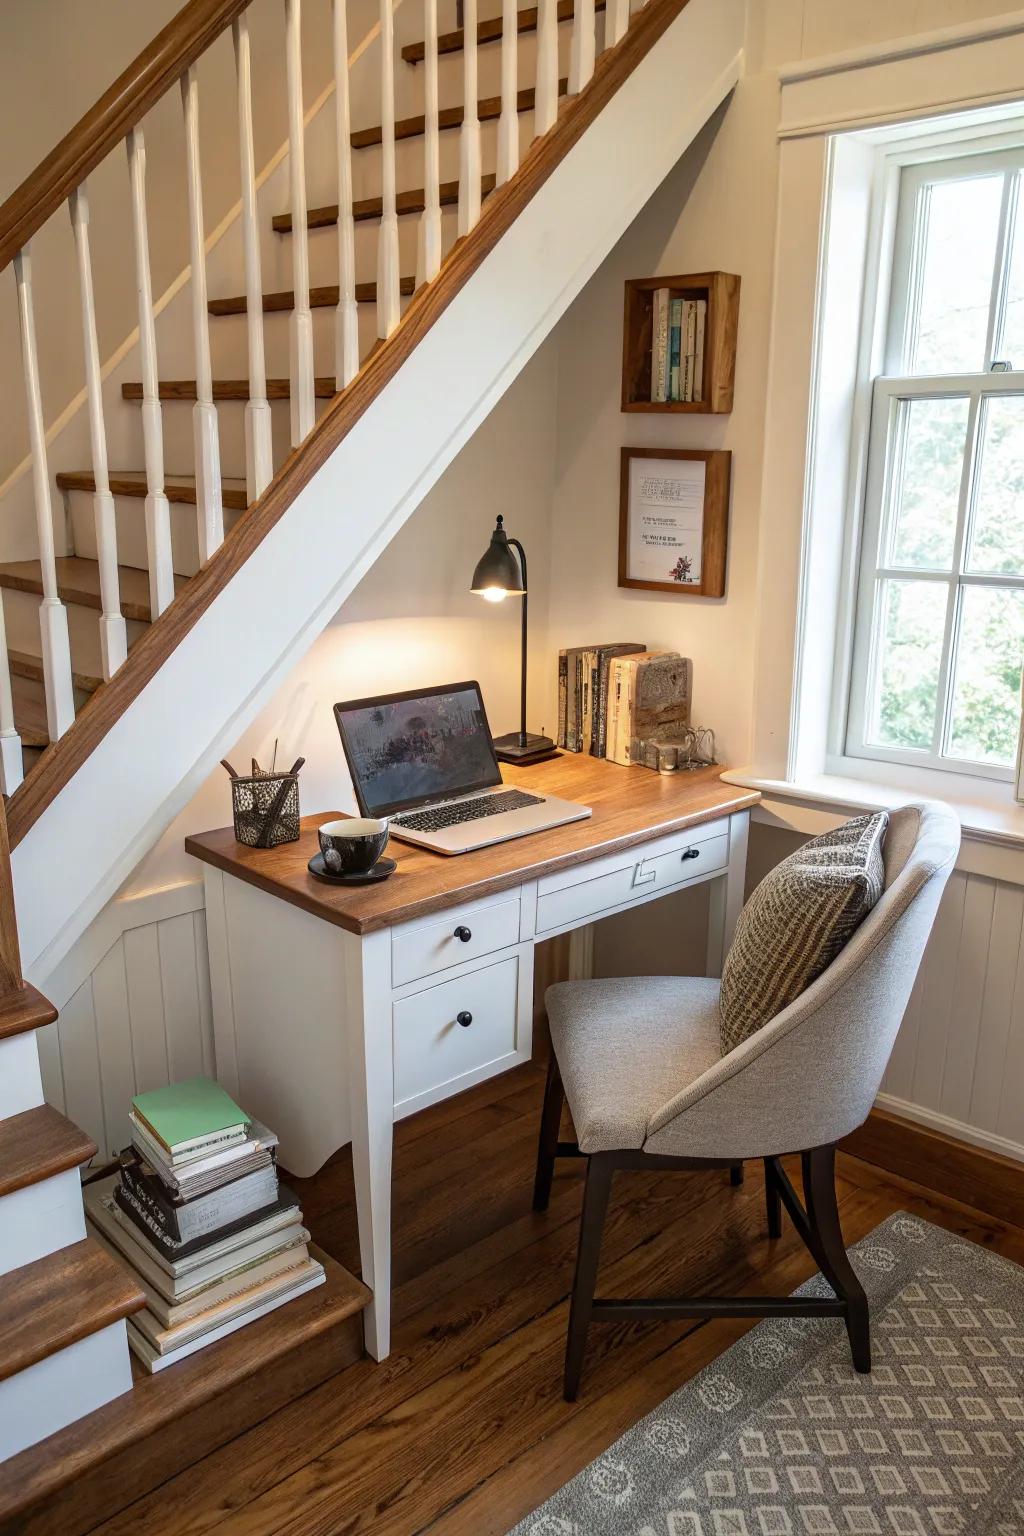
x,y
811,1074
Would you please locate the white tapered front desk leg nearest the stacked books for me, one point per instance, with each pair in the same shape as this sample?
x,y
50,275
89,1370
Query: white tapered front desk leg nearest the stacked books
x,y
372,1094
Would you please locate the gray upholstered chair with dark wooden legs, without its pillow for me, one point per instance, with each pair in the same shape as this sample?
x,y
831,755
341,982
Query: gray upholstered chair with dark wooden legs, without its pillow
x,y
639,1062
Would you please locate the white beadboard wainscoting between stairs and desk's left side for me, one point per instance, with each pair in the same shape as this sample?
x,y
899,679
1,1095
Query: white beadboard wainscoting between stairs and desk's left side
x,y
134,998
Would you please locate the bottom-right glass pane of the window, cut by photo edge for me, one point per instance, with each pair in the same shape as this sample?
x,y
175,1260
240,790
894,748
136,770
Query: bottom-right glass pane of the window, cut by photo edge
x,y
988,687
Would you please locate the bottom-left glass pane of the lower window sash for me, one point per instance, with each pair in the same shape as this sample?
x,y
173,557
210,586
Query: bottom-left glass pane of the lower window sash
x,y
907,670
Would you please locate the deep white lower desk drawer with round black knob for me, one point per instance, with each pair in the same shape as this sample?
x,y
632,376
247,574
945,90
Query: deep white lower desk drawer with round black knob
x,y
434,1050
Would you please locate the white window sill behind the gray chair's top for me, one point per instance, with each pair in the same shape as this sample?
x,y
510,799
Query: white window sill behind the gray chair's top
x,y
996,819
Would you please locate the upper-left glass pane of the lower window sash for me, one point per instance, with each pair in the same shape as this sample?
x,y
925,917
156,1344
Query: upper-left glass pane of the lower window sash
x,y
925,491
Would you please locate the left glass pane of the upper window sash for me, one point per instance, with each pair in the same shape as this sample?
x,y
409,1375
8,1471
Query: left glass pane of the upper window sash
x,y
960,223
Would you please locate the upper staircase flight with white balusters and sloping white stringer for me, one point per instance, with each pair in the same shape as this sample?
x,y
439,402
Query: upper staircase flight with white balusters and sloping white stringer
x,y
303,423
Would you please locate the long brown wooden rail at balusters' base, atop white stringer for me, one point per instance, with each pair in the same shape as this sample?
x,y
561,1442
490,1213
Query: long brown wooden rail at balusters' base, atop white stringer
x,y
62,761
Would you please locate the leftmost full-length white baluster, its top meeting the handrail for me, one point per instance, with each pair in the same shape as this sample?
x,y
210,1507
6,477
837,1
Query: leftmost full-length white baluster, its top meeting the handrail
x,y
53,617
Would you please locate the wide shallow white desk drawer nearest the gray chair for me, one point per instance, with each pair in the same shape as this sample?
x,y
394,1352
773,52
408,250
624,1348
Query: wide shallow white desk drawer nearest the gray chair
x,y
644,873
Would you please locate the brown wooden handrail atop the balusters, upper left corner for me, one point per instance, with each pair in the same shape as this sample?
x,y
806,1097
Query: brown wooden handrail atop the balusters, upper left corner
x,y
105,125
